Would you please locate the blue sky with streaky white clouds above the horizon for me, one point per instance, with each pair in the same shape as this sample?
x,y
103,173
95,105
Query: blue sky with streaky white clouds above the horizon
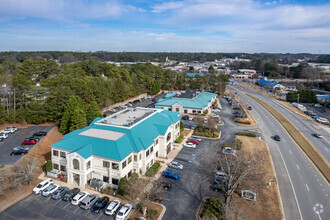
x,y
279,26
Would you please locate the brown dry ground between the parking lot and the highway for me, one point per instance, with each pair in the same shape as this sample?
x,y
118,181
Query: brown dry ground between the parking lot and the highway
x,y
267,205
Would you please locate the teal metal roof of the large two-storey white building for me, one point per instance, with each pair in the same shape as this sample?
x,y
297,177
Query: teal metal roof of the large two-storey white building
x,y
135,139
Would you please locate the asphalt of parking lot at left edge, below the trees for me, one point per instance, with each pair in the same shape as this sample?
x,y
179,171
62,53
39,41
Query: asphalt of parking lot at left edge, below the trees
x,y
16,139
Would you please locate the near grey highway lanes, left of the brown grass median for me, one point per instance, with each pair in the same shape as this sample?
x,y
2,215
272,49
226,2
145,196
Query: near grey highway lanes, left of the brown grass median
x,y
304,192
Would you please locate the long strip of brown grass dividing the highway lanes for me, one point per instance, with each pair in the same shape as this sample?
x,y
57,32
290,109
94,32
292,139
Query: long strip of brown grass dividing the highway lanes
x,y
320,162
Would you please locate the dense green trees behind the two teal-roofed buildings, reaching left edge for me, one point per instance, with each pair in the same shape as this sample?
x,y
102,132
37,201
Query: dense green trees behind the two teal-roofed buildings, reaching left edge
x,y
42,90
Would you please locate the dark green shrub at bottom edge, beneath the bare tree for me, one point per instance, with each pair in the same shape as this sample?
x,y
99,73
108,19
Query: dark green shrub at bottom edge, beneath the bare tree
x,y
213,209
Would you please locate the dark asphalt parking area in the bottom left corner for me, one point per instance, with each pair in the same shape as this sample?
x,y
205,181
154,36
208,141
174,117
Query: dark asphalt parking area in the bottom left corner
x,y
39,207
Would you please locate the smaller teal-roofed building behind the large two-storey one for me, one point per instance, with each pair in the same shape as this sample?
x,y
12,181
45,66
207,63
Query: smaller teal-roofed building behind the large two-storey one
x,y
188,101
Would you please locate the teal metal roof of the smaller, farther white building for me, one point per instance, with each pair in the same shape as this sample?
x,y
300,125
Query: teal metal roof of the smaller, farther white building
x,y
199,102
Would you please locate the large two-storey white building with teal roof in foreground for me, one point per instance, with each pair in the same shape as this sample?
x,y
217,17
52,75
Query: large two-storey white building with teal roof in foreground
x,y
127,142
